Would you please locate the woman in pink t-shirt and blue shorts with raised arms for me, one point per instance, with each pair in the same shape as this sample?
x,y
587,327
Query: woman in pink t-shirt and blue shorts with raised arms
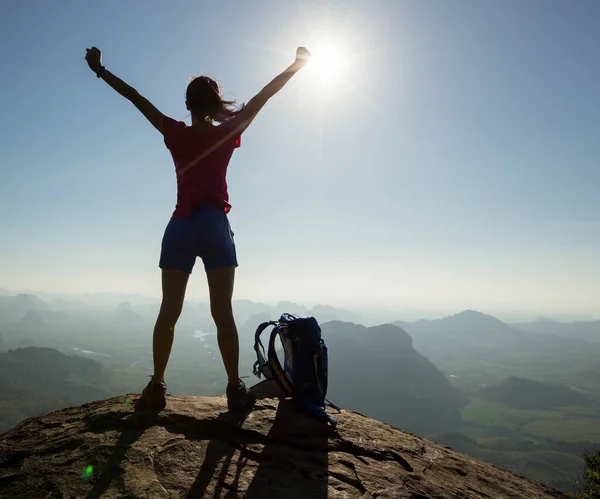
x,y
199,226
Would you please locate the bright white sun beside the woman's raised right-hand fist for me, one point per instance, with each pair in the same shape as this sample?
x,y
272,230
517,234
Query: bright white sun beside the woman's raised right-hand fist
x,y
329,65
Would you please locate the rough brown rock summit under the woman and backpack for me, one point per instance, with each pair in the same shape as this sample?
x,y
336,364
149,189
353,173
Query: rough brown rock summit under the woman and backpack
x,y
106,449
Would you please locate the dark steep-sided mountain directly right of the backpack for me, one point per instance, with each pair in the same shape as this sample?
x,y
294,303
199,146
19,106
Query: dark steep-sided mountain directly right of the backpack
x,y
377,371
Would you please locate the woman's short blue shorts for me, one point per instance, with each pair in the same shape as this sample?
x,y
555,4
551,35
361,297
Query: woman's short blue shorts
x,y
205,234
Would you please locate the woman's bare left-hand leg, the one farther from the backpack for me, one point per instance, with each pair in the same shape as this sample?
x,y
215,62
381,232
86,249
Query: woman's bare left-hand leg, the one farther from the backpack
x,y
174,283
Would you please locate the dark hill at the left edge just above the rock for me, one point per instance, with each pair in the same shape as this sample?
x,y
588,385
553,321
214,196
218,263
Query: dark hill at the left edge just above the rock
x,y
36,380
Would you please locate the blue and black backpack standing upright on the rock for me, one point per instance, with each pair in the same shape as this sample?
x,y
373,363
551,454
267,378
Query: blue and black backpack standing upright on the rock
x,y
305,369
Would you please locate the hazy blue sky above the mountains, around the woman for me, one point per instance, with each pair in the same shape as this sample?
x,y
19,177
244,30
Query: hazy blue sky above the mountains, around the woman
x,y
455,164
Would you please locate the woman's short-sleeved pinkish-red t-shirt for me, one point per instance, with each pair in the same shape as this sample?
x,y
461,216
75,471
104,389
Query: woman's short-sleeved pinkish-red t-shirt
x,y
201,160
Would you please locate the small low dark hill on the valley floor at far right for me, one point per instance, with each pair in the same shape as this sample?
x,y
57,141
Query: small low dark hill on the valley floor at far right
x,y
523,393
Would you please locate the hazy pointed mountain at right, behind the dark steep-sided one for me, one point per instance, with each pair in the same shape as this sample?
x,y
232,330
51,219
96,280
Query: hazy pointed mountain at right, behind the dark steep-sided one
x,y
476,350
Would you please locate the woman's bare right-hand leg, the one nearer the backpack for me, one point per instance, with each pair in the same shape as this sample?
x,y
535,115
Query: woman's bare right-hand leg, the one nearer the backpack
x,y
220,285
